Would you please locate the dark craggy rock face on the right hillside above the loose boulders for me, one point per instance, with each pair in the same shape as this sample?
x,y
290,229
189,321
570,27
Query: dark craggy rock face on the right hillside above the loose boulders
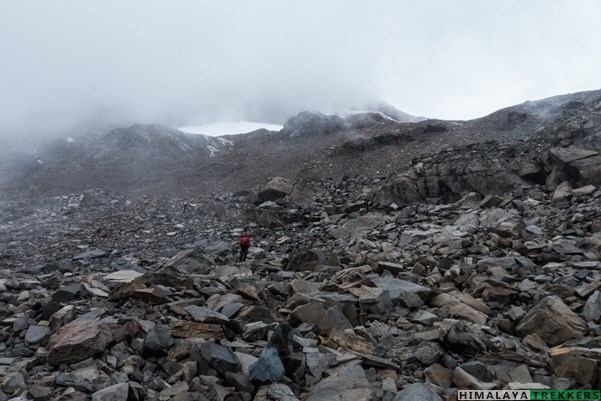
x,y
566,151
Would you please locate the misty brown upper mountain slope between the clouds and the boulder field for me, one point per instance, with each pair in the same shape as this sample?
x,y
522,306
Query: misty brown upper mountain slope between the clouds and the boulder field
x,y
154,159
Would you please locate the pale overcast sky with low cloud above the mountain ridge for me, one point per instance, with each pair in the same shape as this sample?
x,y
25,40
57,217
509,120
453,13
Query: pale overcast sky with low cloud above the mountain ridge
x,y
64,62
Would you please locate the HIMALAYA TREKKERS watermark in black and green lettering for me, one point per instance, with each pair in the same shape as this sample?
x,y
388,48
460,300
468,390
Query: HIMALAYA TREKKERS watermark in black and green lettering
x,y
538,395
